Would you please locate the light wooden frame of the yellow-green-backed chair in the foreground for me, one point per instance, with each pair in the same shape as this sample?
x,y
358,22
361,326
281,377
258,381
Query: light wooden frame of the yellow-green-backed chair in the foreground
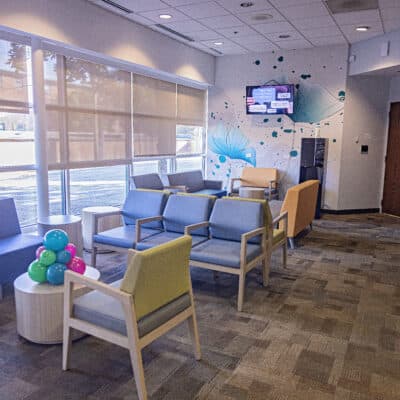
x,y
132,341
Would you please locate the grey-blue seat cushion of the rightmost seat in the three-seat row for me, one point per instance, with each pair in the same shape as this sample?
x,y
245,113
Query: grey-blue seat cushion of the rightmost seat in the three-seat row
x,y
223,252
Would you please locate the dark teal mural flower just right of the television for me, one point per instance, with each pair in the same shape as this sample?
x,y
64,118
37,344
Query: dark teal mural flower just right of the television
x,y
314,103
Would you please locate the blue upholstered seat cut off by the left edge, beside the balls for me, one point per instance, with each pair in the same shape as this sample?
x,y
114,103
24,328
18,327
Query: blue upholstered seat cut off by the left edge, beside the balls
x,y
17,250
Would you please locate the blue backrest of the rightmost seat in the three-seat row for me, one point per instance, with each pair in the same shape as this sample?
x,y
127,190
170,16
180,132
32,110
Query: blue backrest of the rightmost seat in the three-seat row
x,y
231,218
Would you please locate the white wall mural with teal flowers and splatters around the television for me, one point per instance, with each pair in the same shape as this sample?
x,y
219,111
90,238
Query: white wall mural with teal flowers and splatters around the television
x,y
236,140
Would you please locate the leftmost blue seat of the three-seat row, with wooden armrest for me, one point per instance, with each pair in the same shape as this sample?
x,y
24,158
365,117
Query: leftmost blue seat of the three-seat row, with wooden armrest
x,y
139,204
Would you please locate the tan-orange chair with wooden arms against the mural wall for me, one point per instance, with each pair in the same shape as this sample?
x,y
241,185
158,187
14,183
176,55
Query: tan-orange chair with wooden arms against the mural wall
x,y
265,178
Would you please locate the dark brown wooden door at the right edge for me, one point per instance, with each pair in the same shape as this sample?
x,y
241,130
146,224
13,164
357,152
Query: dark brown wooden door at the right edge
x,y
391,191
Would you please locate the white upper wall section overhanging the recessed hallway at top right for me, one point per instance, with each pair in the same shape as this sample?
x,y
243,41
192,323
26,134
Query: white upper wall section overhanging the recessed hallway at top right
x,y
368,56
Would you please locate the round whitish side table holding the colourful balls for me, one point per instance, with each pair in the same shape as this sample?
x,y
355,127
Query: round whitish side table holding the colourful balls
x,y
39,308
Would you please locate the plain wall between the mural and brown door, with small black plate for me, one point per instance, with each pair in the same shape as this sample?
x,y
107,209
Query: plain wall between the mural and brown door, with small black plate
x,y
365,122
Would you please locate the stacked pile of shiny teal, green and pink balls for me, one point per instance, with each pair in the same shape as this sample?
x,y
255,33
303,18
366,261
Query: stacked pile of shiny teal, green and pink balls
x,y
54,258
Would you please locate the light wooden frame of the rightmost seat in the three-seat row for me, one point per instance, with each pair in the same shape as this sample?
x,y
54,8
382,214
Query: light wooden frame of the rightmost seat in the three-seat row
x,y
244,267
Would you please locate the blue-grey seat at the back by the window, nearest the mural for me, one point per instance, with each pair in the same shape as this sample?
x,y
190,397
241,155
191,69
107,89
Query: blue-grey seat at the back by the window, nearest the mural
x,y
194,183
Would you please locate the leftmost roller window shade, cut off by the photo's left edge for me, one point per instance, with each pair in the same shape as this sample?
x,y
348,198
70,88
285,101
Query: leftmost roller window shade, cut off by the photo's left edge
x,y
13,77
